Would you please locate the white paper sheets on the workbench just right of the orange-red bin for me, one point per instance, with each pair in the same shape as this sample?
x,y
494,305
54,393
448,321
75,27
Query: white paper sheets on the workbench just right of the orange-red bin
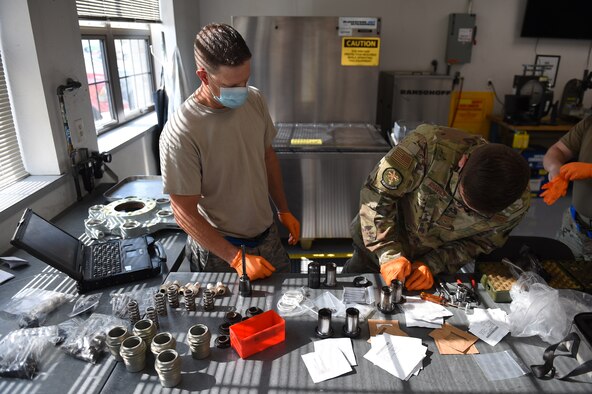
x,y
326,365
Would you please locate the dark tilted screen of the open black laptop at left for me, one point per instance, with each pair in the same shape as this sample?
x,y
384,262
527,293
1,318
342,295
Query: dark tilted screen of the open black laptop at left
x,y
49,243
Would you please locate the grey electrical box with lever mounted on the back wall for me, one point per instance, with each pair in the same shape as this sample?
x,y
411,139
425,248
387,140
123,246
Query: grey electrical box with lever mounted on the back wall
x,y
461,36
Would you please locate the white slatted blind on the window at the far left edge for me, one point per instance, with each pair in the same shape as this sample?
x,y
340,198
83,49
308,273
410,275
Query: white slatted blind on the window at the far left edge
x,y
11,162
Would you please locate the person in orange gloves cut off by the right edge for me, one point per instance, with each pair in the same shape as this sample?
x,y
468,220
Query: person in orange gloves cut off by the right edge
x,y
576,228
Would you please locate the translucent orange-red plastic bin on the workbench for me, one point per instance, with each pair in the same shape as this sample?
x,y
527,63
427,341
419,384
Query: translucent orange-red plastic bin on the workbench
x,y
257,333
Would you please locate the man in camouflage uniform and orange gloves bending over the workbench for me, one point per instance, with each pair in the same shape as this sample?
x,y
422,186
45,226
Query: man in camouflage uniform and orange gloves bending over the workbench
x,y
437,199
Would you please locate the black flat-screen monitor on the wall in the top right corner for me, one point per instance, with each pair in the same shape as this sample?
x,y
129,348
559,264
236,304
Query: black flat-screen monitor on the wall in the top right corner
x,y
558,19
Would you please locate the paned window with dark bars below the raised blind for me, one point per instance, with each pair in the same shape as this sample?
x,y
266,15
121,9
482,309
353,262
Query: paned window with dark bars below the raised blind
x,y
119,73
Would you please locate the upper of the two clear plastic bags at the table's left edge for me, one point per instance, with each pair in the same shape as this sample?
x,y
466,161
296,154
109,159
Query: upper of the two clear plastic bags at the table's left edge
x,y
31,306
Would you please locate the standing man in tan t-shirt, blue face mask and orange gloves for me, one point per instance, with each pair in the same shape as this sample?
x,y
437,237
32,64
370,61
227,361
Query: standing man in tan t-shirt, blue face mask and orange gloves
x,y
219,167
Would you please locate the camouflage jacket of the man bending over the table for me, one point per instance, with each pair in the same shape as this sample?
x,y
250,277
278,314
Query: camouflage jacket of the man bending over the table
x,y
410,204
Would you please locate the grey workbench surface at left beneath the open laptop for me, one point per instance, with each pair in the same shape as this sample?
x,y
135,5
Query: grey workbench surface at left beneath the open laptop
x,y
60,373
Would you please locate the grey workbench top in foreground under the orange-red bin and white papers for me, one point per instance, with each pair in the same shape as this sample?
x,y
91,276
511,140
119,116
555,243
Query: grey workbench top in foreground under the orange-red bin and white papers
x,y
280,369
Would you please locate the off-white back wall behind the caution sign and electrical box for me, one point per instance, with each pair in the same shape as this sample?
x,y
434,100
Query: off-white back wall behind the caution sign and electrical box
x,y
414,33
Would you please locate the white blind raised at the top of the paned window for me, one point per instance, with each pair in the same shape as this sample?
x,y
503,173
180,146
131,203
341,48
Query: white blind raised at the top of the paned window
x,y
119,10
